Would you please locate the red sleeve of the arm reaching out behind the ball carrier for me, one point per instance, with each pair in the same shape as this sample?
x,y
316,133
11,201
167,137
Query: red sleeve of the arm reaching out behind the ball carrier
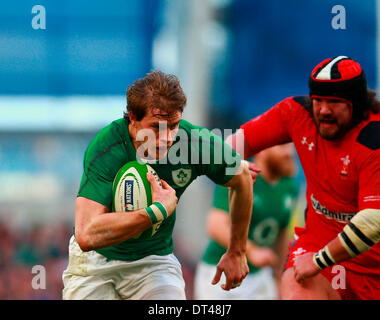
x,y
272,127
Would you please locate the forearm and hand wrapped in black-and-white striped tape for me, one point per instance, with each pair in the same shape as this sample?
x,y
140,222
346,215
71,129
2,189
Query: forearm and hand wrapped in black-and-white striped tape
x,y
358,236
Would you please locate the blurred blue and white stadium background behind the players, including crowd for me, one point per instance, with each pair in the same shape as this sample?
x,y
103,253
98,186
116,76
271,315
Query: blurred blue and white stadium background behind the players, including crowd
x,y
59,85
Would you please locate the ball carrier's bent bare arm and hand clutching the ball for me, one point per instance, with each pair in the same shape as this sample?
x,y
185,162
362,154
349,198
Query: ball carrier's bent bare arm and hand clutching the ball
x,y
96,227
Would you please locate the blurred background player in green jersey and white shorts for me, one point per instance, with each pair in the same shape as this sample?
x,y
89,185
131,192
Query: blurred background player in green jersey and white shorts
x,y
275,193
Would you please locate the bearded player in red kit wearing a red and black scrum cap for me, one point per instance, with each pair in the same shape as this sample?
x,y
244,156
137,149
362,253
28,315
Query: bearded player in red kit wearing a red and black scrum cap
x,y
336,131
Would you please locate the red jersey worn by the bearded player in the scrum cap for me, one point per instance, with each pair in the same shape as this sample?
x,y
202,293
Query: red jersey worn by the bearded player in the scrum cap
x,y
342,176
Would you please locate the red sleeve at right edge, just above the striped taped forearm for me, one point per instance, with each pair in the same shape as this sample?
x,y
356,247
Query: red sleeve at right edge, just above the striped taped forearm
x,y
369,182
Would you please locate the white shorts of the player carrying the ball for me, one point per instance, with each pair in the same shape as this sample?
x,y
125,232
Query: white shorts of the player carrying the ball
x,y
89,276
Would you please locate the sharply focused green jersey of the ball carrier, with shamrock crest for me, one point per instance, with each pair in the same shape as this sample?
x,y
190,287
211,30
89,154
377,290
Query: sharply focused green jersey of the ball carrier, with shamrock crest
x,y
196,152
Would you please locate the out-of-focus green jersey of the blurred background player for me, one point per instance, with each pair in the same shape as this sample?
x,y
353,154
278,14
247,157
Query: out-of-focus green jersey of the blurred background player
x,y
272,209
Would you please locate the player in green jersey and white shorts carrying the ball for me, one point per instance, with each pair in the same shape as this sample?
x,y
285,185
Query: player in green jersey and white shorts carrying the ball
x,y
106,261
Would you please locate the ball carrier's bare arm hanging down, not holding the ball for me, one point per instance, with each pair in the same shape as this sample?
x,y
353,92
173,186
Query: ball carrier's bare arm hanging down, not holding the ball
x,y
234,262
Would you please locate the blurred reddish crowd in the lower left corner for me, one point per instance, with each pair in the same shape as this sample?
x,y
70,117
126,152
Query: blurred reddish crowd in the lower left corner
x,y
21,249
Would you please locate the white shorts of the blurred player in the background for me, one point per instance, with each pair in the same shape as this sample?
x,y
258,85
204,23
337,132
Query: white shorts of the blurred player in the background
x,y
256,286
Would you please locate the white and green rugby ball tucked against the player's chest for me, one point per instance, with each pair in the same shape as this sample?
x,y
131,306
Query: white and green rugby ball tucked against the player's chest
x,y
132,191
